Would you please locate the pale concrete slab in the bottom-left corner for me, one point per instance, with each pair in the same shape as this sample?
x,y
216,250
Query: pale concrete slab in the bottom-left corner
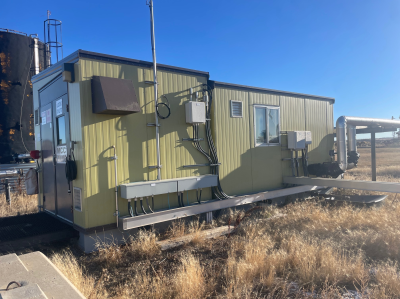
x,y
35,268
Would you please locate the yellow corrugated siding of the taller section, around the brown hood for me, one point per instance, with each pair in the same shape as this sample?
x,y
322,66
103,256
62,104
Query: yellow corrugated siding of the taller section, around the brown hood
x,y
135,141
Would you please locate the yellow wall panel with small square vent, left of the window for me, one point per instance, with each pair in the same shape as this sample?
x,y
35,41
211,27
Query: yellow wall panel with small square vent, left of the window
x,y
232,140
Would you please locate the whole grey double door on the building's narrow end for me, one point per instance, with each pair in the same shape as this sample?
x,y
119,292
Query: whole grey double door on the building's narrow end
x,y
55,149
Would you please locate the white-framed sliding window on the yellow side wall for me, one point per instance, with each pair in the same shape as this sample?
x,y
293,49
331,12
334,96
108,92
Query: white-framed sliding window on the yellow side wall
x,y
266,125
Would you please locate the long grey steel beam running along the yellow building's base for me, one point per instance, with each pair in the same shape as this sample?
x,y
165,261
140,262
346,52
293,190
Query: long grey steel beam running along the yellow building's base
x,y
132,222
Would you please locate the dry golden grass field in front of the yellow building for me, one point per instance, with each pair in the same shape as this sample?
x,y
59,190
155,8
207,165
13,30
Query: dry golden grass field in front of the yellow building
x,y
315,251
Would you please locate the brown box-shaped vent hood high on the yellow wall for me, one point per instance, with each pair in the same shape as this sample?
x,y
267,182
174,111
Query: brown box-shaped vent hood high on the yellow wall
x,y
113,96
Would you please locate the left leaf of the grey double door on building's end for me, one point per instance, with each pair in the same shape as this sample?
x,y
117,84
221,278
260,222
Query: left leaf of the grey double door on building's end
x,y
48,166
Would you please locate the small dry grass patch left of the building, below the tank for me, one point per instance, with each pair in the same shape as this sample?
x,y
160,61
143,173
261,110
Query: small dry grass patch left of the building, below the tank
x,y
20,204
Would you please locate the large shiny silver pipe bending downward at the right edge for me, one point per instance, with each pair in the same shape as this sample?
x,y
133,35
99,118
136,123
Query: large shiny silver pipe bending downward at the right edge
x,y
349,124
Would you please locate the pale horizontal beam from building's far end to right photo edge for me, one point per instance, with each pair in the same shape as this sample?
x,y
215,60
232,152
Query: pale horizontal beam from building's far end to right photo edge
x,y
345,184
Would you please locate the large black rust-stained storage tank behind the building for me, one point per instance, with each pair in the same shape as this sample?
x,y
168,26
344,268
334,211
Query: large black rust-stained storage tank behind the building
x,y
21,57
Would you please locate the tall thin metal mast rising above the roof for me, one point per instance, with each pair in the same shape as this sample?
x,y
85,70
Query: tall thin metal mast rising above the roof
x,y
153,48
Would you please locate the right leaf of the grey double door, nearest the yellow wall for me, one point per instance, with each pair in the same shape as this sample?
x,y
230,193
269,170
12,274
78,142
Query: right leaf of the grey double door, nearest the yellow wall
x,y
62,149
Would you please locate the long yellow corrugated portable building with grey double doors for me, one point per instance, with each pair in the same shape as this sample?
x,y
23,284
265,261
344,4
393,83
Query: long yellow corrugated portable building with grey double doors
x,y
90,104
